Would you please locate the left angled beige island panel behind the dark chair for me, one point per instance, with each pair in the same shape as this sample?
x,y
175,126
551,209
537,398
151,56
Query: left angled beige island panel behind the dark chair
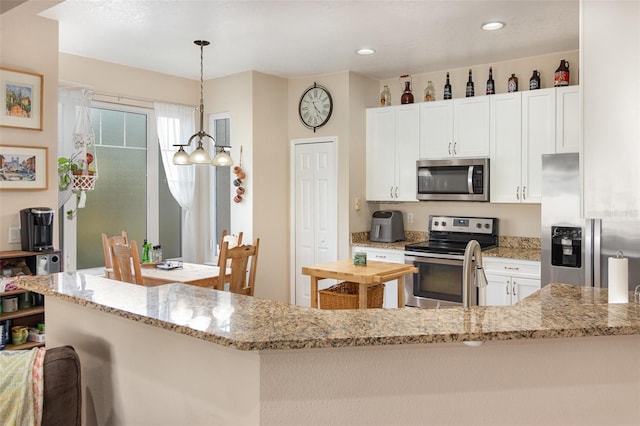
x,y
137,374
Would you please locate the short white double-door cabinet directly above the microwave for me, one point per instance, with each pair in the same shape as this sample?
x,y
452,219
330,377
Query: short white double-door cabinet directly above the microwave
x,y
458,128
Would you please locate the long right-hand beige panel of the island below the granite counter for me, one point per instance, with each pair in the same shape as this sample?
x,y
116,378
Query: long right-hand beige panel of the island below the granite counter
x,y
567,381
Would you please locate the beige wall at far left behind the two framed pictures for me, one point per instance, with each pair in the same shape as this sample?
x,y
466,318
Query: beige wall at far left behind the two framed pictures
x,y
30,43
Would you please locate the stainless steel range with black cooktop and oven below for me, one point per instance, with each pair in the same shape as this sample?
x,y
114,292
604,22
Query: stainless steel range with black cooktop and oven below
x,y
438,282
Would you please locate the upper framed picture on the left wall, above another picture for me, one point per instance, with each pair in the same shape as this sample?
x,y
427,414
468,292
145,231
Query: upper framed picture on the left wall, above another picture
x,y
22,94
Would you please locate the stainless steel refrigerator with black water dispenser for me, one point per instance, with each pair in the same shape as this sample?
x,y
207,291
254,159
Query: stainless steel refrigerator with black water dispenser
x,y
576,250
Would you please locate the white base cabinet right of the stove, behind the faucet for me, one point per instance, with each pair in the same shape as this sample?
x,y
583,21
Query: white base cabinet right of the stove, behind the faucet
x,y
509,280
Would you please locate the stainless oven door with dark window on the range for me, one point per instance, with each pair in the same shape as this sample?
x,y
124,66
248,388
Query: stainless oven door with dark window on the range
x,y
438,282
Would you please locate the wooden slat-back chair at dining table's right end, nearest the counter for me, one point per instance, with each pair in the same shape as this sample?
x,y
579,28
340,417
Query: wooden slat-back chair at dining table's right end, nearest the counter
x,y
243,258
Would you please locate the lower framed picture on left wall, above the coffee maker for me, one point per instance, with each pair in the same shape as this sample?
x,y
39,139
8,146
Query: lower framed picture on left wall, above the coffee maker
x,y
23,167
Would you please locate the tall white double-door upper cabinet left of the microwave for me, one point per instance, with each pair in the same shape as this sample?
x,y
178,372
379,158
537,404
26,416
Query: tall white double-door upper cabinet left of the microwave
x,y
392,150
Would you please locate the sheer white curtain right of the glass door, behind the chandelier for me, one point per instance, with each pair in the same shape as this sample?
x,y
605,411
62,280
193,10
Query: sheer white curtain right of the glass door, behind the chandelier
x,y
175,125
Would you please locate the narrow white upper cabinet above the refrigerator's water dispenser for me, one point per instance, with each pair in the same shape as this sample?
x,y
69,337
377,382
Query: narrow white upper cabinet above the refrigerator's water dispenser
x,y
568,119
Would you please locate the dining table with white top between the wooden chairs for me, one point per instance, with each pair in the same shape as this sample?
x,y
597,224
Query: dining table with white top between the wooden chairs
x,y
190,273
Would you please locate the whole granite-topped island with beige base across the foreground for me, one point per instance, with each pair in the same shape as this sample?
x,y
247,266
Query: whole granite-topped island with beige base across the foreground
x,y
201,356
